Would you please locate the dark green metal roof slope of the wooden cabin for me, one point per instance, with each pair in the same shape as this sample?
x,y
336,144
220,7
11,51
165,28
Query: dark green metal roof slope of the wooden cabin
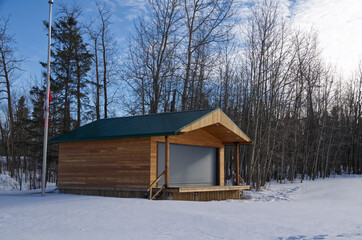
x,y
160,124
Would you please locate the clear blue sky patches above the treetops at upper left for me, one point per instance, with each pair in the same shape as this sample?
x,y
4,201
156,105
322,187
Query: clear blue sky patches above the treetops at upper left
x,y
26,25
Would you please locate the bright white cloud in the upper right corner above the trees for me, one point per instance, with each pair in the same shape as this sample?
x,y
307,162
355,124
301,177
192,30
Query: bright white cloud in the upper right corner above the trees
x,y
339,24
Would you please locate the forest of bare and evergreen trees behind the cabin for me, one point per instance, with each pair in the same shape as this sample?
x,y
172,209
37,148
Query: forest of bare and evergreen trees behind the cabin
x,y
265,73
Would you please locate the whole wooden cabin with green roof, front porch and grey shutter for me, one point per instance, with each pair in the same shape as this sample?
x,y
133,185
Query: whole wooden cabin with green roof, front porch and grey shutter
x,y
177,155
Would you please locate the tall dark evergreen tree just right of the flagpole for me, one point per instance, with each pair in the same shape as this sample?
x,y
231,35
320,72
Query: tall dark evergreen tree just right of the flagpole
x,y
70,65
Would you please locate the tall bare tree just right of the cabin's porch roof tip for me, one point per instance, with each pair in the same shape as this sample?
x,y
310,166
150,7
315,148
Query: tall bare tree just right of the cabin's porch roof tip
x,y
266,51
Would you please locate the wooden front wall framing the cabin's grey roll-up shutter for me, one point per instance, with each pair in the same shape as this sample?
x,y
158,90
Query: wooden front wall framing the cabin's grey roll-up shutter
x,y
194,138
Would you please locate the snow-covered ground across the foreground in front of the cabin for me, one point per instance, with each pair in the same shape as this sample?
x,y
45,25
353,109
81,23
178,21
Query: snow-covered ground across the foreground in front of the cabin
x,y
322,209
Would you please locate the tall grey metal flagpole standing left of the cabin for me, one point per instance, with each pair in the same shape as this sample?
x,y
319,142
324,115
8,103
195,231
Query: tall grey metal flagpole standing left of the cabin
x,y
45,145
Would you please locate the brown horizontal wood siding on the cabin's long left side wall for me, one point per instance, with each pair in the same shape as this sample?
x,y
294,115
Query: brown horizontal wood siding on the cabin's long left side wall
x,y
105,163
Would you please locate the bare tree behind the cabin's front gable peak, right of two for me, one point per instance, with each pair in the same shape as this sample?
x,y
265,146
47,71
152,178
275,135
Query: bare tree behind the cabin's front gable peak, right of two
x,y
206,23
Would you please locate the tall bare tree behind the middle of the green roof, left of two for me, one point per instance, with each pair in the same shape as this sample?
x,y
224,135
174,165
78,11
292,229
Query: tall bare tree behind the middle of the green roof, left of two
x,y
151,59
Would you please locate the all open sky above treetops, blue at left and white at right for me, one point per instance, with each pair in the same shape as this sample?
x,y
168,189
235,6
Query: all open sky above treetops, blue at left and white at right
x,y
338,22
